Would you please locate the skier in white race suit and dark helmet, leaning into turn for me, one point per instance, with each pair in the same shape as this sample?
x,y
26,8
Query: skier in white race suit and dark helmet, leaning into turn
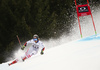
x,y
36,43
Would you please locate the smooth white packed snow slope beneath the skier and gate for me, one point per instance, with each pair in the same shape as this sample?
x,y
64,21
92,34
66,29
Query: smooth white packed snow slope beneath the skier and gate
x,y
83,54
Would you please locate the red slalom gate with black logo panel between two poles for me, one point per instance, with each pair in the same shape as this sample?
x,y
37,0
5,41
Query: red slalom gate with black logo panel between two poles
x,y
84,10
